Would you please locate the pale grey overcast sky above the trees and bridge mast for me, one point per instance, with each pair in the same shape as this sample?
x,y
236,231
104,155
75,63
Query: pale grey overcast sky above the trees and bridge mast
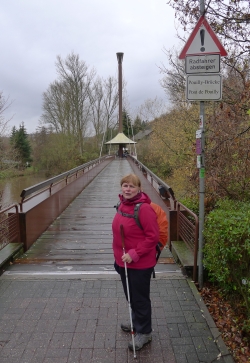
x,y
34,32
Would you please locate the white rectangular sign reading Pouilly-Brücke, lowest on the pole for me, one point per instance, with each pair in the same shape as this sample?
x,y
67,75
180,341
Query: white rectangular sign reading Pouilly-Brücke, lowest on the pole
x,y
204,87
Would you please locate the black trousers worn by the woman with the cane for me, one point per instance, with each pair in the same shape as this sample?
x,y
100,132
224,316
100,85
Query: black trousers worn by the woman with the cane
x,y
139,290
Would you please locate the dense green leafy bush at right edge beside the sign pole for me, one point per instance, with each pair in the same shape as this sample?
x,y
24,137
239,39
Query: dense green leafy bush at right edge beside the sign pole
x,y
227,248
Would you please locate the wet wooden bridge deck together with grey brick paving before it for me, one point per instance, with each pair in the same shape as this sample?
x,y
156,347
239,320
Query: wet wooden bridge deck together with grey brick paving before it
x,y
62,301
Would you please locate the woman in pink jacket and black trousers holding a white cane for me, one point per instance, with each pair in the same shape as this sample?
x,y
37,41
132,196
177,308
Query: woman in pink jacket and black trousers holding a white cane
x,y
140,256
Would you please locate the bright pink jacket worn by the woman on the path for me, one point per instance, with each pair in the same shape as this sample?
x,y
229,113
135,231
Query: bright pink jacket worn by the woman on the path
x,y
140,244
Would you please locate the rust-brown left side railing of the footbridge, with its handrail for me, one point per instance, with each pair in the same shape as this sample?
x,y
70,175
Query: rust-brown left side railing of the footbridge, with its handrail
x,y
42,203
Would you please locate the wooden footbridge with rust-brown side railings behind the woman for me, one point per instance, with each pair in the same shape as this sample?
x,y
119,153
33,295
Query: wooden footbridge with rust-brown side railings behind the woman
x,y
78,239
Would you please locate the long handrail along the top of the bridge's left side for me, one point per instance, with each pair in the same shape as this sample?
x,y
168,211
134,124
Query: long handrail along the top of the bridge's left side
x,y
49,182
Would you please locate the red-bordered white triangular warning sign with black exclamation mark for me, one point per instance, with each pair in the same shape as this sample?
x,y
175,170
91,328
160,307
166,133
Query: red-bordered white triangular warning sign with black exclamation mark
x,y
202,40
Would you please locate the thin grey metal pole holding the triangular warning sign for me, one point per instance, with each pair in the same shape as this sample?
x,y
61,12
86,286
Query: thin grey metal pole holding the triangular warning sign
x,y
202,181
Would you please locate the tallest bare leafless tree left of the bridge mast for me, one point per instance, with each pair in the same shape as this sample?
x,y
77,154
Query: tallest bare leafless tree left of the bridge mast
x,y
67,102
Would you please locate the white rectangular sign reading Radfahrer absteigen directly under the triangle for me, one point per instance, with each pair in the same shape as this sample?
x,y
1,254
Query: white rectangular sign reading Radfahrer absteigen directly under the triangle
x,y
209,63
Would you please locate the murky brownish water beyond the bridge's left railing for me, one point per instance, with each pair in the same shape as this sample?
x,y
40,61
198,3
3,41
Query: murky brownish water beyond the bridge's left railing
x,y
13,187
